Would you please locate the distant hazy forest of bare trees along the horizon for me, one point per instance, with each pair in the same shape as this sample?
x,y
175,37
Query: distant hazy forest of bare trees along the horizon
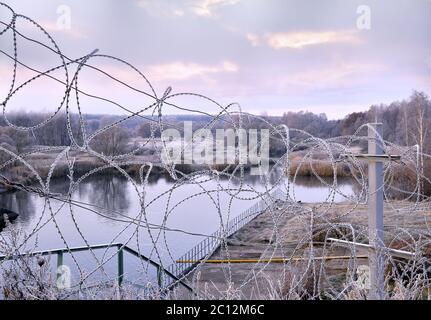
x,y
405,123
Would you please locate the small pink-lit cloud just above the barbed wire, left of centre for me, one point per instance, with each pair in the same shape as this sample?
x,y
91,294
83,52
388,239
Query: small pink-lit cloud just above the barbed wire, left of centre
x,y
182,70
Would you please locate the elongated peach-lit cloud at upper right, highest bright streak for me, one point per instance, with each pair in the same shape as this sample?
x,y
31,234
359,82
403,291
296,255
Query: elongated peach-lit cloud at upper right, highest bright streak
x,y
298,40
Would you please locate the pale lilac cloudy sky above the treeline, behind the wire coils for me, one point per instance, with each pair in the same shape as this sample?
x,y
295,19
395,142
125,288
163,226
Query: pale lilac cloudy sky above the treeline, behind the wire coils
x,y
269,56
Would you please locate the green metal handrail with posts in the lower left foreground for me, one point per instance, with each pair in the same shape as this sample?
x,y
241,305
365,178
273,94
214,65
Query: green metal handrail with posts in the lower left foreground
x,y
161,272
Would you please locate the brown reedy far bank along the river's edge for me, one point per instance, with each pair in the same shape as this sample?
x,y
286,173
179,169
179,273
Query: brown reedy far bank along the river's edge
x,y
402,176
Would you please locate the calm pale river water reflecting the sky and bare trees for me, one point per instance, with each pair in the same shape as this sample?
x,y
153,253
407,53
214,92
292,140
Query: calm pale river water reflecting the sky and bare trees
x,y
116,200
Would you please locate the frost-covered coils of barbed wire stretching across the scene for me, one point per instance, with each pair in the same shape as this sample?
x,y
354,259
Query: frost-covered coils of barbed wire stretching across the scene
x,y
304,273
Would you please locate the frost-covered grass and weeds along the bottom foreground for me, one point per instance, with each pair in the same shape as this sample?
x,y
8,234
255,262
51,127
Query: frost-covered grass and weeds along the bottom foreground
x,y
31,277
